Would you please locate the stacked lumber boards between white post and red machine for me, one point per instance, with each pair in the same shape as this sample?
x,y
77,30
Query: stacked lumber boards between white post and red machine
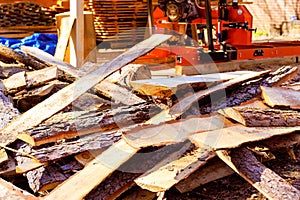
x,y
120,20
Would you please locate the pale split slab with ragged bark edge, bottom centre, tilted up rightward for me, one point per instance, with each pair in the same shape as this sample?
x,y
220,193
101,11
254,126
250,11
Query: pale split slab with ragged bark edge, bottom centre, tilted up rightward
x,y
163,178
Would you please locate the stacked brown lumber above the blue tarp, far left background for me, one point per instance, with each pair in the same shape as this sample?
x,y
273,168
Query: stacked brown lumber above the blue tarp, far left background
x,y
21,19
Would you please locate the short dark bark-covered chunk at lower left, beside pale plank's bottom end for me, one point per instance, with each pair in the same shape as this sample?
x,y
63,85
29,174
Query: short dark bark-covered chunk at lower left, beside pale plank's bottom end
x,y
48,177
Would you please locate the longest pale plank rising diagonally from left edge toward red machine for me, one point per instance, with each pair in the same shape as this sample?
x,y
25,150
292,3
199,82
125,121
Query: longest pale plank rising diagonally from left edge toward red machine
x,y
67,95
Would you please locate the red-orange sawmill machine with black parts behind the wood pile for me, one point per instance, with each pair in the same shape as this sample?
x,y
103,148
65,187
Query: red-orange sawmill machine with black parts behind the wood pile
x,y
229,32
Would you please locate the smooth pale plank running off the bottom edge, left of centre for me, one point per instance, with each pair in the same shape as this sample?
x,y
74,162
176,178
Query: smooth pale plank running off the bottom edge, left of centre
x,y
101,167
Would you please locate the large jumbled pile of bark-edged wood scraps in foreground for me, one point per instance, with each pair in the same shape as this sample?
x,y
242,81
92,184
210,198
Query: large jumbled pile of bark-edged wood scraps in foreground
x,y
94,132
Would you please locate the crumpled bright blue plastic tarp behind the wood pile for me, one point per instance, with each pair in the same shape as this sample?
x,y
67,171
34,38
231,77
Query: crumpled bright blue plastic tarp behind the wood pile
x,y
43,41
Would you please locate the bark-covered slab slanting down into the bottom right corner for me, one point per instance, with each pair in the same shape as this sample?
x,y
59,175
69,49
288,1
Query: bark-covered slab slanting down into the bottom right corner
x,y
272,186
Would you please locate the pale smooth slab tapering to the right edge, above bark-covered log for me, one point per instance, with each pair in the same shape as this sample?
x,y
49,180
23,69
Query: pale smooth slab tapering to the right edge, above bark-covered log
x,y
235,136
